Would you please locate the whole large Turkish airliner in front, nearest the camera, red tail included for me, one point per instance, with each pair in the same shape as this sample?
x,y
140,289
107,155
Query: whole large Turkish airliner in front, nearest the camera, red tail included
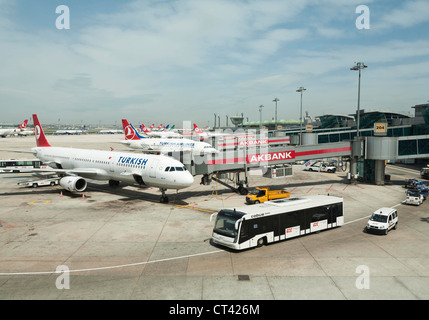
x,y
74,166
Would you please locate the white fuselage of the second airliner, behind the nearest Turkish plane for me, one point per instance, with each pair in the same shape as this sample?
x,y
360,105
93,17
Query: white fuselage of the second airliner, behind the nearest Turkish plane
x,y
170,145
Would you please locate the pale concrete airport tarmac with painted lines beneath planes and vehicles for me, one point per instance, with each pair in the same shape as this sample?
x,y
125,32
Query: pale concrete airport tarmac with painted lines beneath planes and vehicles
x,y
122,244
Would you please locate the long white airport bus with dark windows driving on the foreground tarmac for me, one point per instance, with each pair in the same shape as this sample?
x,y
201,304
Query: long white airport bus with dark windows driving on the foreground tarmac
x,y
251,226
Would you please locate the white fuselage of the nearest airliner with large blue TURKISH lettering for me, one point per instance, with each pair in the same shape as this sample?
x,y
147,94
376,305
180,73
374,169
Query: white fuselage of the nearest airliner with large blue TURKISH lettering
x,y
144,169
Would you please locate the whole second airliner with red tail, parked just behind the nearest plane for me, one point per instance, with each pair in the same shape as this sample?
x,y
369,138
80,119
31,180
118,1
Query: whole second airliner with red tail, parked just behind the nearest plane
x,y
136,141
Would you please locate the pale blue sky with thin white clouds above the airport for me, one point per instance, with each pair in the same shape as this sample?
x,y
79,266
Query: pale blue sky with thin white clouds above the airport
x,y
167,61
